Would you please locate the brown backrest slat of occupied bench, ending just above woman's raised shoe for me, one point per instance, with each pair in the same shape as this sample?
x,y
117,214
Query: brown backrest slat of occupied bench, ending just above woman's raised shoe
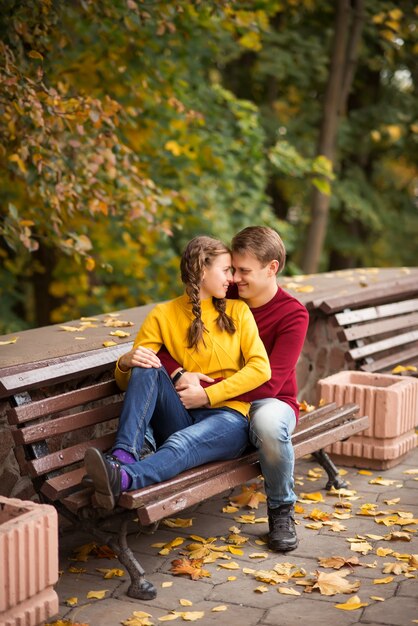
x,y
68,456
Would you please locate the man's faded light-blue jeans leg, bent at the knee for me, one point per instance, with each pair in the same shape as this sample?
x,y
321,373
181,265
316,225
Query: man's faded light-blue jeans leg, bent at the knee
x,y
271,426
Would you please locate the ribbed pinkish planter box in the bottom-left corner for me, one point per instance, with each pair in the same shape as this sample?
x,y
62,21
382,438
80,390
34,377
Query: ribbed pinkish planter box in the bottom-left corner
x,y
28,562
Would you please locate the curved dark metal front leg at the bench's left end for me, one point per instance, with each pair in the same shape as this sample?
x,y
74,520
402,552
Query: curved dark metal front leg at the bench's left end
x,y
140,588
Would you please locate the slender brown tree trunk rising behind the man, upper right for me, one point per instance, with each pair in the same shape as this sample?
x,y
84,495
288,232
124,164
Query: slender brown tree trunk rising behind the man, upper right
x,y
348,25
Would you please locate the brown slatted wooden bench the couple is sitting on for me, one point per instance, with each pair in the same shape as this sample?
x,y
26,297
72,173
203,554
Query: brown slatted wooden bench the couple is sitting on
x,y
60,409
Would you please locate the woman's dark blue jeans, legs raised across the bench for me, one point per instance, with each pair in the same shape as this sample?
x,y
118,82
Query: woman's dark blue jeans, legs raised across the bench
x,y
184,438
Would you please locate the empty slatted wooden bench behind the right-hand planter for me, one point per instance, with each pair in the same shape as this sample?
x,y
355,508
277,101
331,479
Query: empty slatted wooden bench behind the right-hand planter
x,y
380,325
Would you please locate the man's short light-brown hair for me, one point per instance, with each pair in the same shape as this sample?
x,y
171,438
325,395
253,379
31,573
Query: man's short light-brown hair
x,y
262,242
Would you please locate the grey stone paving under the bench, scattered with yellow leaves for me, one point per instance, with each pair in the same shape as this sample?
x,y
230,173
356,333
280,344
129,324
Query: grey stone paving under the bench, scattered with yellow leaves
x,y
245,606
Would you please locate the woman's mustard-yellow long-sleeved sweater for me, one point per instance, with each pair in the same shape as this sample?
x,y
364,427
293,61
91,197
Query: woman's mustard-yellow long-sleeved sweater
x,y
240,359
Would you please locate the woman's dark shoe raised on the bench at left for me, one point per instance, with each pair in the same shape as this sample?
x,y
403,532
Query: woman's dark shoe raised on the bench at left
x,y
105,473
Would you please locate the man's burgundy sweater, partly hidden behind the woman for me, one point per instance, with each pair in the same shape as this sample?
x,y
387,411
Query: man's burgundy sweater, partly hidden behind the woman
x,y
282,324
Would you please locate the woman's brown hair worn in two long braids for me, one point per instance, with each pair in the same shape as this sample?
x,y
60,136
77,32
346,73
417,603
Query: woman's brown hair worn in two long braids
x,y
199,254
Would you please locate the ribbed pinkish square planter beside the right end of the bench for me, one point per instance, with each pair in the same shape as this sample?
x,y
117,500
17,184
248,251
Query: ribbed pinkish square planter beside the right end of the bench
x,y
390,402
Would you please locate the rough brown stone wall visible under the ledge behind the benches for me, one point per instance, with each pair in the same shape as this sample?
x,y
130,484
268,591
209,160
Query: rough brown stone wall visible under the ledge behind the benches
x,y
323,354
